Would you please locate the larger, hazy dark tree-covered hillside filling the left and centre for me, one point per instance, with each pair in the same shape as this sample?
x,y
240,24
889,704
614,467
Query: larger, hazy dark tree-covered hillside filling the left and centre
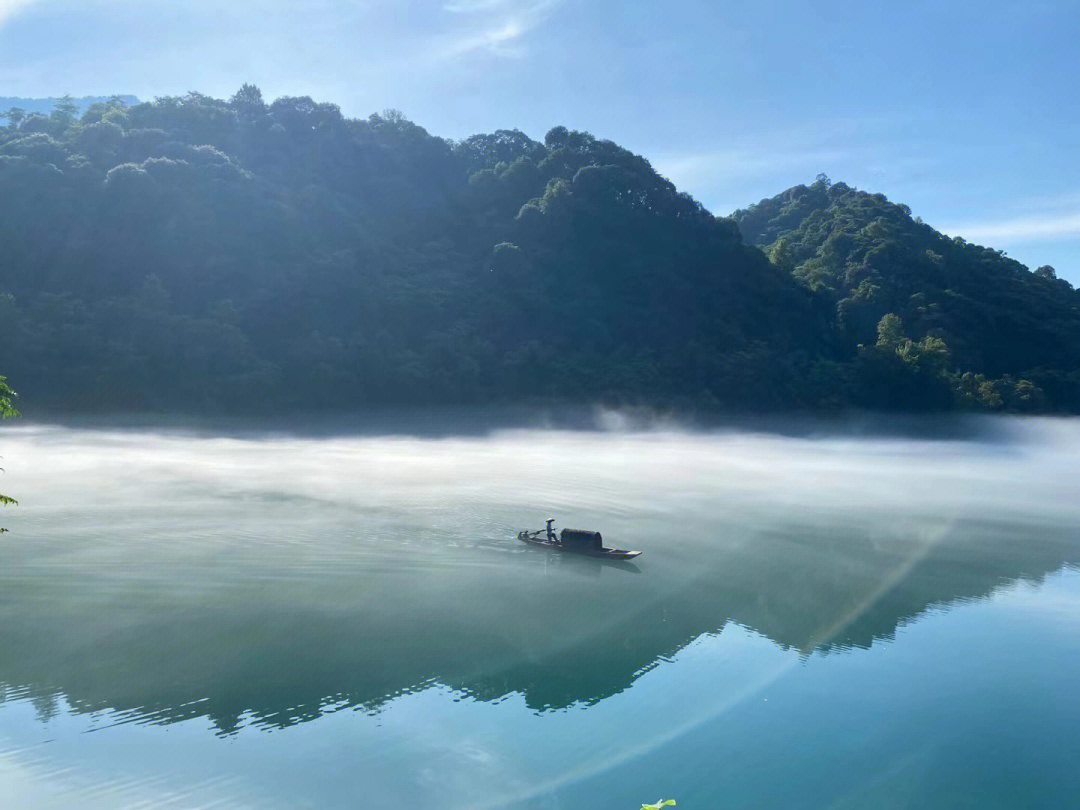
x,y
201,253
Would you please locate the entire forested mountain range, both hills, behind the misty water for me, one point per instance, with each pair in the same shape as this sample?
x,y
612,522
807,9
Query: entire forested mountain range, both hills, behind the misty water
x,y
236,255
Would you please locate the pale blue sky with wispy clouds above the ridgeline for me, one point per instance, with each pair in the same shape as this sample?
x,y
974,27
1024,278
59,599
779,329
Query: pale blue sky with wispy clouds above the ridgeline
x,y
969,113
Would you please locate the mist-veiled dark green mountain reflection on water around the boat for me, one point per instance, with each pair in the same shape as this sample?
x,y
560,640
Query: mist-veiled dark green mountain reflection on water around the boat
x,y
267,579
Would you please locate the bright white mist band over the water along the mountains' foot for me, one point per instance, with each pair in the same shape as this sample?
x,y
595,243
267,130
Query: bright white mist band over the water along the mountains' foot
x,y
1005,463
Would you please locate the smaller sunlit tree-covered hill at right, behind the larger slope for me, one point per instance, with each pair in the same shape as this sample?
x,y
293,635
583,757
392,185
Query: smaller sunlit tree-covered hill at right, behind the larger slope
x,y
866,259
